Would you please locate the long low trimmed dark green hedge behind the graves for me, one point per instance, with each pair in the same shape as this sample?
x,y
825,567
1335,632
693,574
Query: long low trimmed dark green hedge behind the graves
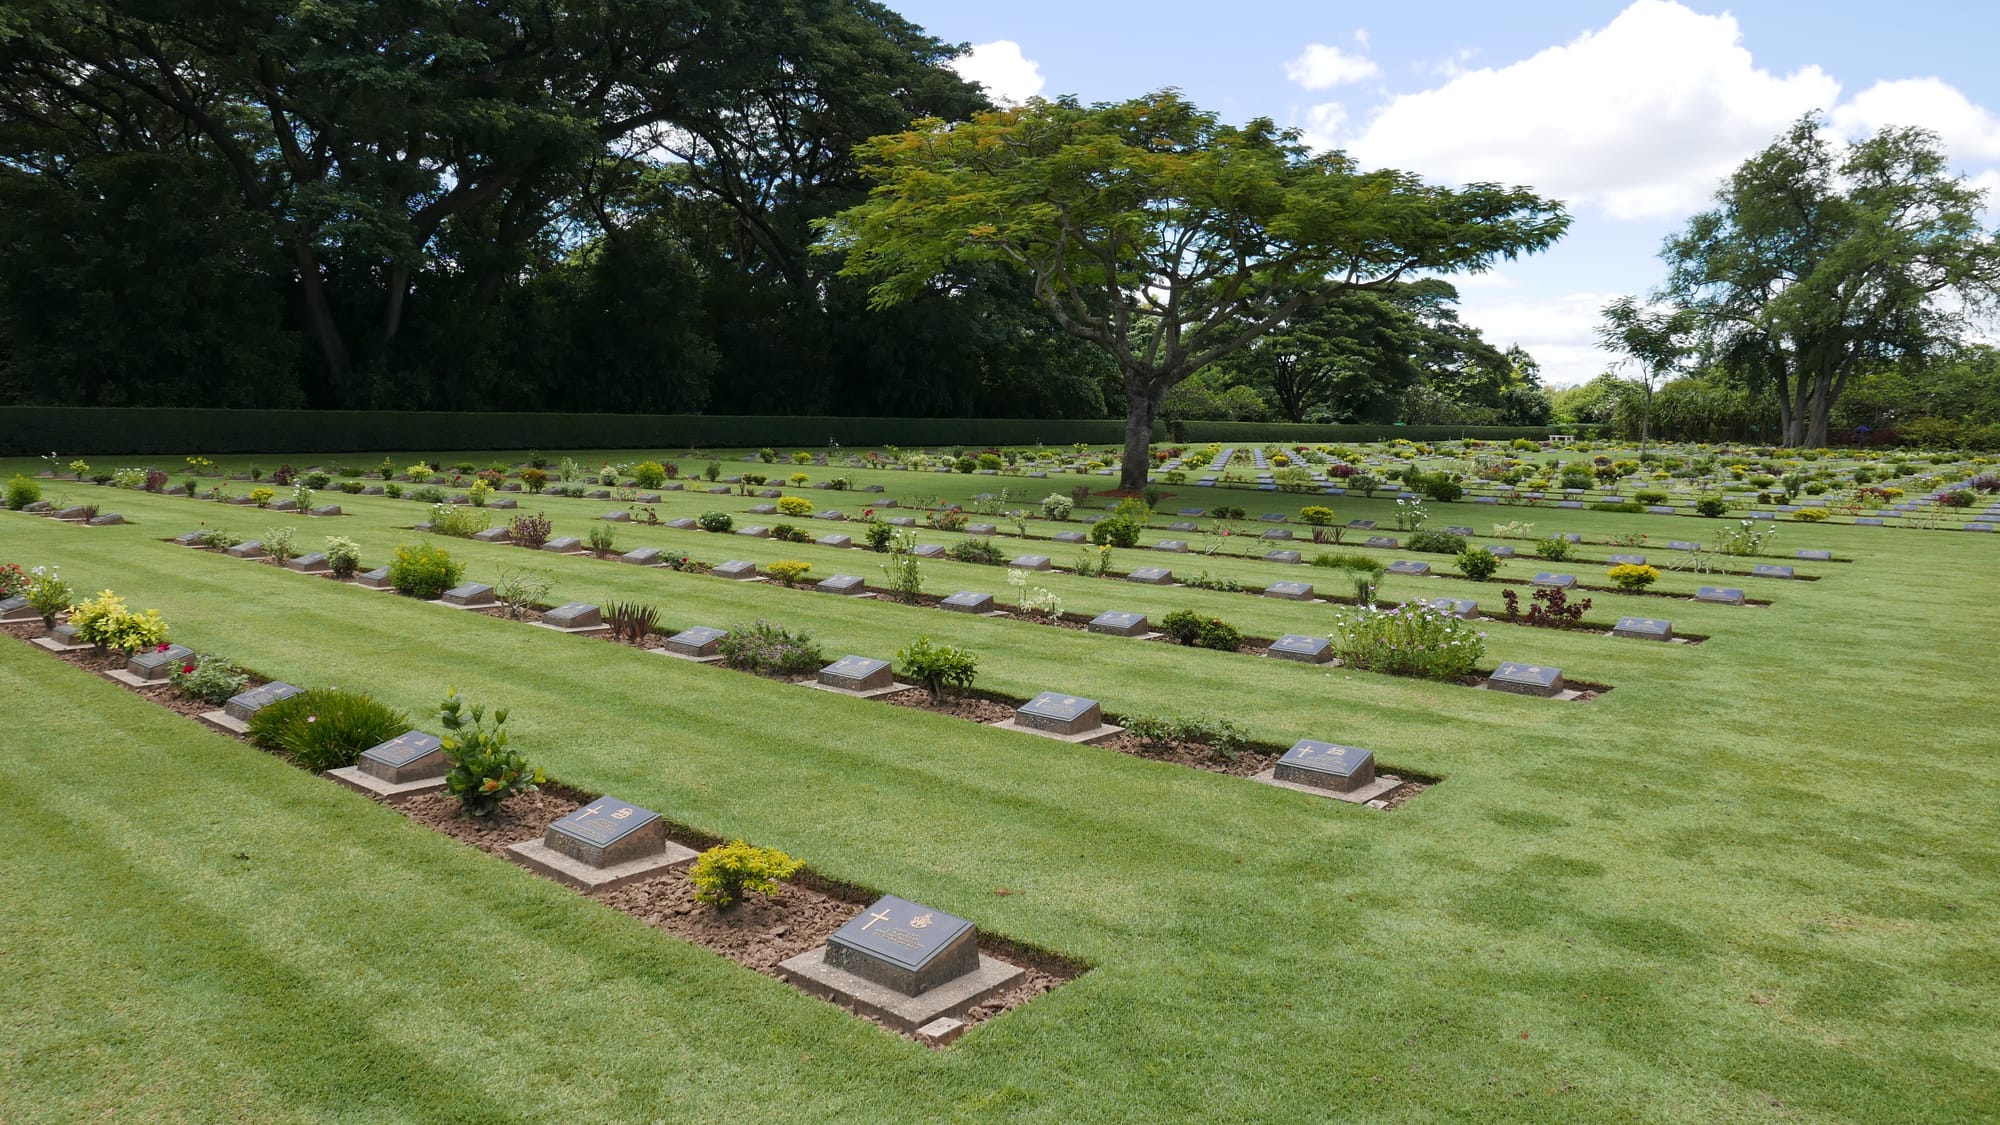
x,y
29,431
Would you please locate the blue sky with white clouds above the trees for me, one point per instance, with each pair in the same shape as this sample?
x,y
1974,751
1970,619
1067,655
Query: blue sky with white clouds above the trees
x,y
1631,111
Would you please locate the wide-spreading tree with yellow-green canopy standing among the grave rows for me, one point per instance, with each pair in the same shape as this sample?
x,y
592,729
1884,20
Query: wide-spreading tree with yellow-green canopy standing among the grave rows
x,y
1159,233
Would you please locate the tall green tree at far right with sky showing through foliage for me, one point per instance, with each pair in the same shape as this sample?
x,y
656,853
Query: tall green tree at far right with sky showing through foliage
x,y
1817,265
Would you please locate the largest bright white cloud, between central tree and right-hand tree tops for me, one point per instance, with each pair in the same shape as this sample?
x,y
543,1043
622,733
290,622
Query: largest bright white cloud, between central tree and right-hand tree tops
x,y
1641,119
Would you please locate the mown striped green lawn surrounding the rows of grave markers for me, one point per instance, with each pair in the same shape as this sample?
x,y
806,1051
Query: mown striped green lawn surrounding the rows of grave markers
x,y
1755,882
